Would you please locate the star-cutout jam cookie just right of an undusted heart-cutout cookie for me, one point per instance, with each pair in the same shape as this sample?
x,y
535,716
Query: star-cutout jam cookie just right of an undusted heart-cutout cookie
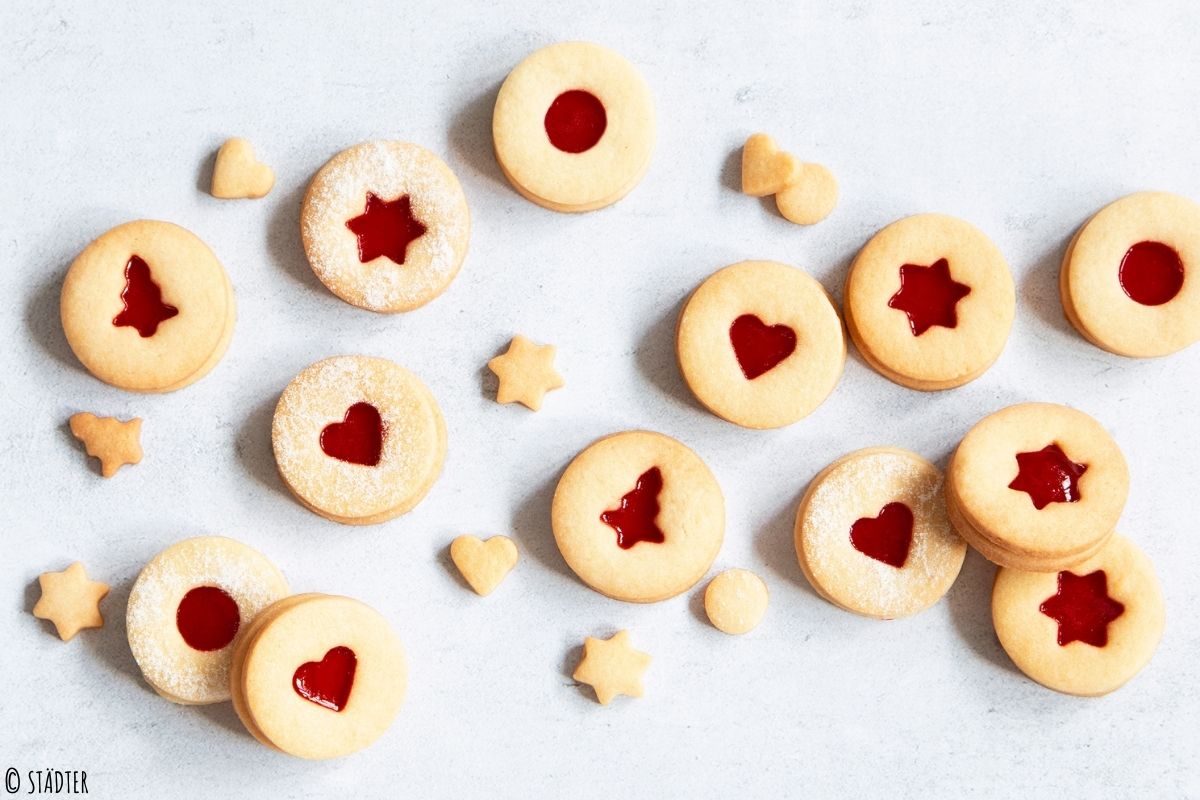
x,y
931,302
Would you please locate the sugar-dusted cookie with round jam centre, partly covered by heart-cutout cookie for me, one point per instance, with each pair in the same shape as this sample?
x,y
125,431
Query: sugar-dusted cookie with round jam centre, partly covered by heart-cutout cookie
x,y
189,609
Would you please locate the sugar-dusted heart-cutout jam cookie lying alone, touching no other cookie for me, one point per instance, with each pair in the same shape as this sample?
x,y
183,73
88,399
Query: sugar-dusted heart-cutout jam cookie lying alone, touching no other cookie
x,y
358,440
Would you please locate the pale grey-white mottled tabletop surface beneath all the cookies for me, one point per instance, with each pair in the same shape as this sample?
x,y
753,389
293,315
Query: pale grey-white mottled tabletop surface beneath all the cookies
x,y
1023,119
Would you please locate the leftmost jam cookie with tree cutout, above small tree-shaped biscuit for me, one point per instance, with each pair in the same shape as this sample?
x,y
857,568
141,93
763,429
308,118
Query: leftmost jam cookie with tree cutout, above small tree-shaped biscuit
x,y
148,308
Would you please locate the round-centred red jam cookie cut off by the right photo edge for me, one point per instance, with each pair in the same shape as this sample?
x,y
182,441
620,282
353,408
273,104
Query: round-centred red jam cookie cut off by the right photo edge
x,y
1129,279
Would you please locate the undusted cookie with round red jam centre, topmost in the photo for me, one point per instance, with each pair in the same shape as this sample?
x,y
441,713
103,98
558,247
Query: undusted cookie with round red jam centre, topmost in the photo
x,y
574,128
